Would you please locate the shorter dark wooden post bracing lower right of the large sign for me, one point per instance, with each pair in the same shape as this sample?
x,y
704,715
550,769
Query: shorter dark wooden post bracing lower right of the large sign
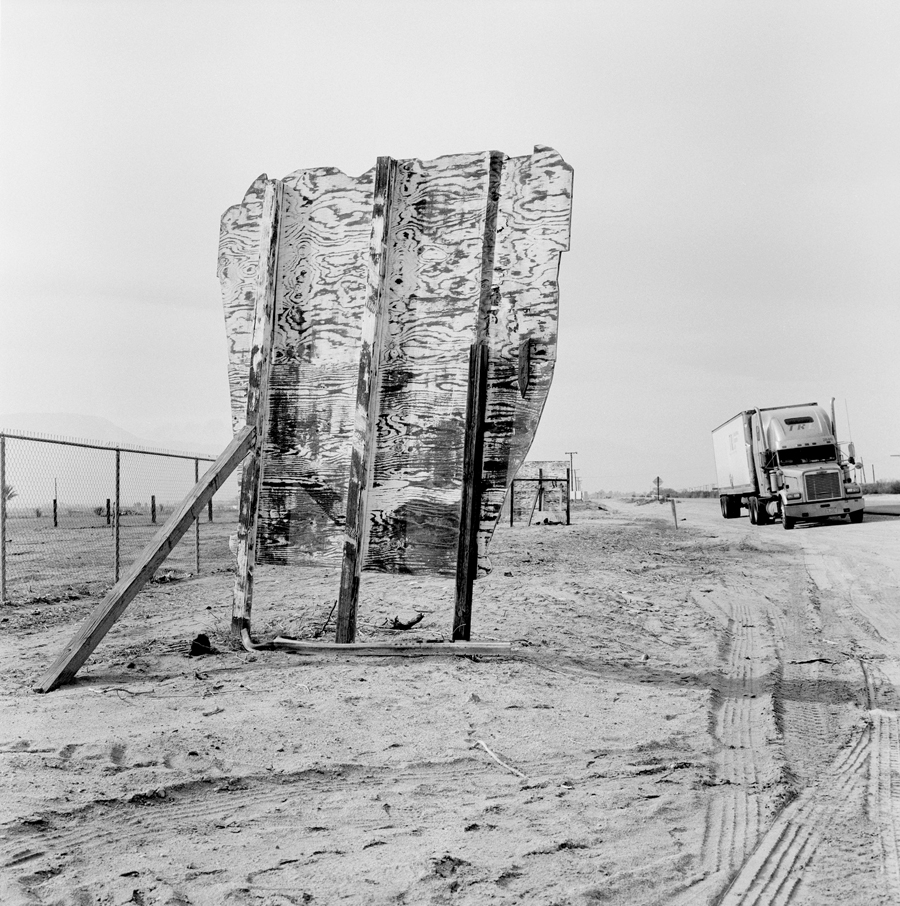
x,y
467,557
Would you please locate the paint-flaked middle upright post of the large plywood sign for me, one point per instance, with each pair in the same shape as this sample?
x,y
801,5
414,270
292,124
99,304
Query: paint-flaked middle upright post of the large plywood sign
x,y
362,456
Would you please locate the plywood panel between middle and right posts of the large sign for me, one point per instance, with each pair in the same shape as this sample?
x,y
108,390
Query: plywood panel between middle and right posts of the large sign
x,y
434,283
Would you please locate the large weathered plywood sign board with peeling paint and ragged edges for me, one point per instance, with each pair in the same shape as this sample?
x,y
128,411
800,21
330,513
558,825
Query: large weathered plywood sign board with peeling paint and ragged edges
x,y
383,284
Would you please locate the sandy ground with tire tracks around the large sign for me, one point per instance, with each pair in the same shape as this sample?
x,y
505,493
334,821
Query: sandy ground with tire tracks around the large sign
x,y
693,715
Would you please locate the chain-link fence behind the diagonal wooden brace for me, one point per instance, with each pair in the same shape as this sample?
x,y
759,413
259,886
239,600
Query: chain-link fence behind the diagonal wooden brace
x,y
75,514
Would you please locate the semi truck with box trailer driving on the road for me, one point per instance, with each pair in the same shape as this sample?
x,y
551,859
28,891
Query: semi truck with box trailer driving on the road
x,y
785,463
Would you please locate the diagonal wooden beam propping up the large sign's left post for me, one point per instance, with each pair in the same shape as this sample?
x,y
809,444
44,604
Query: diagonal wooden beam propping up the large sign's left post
x,y
124,591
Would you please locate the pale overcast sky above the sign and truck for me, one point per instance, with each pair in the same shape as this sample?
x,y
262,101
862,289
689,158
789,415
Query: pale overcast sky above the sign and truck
x,y
736,226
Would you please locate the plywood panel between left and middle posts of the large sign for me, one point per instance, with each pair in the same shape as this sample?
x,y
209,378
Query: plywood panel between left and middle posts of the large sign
x,y
321,297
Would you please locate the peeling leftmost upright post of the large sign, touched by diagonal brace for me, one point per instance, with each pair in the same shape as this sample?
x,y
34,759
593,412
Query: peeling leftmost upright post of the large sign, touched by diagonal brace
x,y
257,406
